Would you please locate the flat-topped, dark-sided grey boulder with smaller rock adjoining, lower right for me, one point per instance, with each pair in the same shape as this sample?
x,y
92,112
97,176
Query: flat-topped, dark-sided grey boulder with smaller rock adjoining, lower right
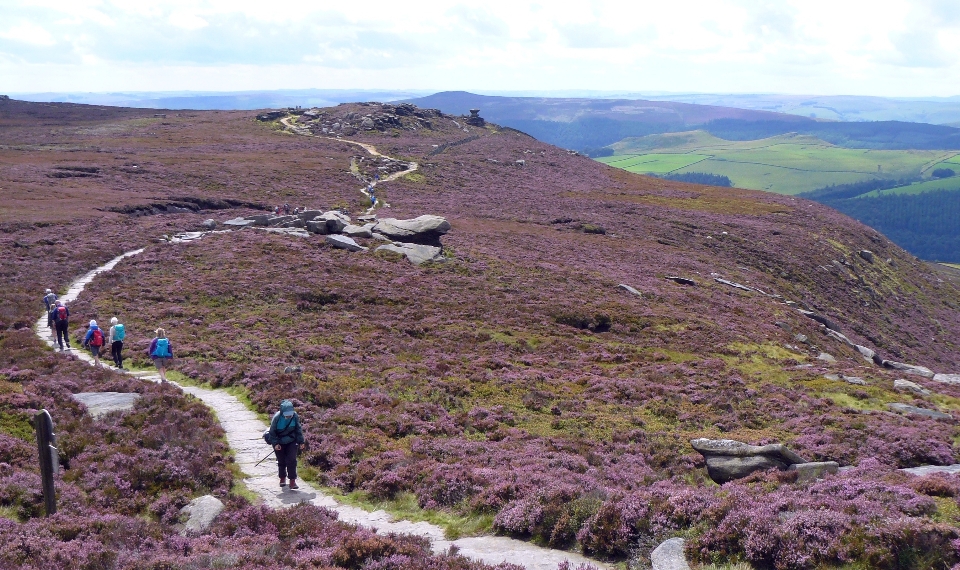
x,y
728,460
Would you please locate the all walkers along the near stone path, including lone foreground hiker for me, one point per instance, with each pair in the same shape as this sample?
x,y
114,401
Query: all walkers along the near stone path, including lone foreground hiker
x,y
285,435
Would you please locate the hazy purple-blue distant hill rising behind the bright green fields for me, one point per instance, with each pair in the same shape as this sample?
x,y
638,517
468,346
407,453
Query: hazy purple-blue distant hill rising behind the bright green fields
x,y
590,124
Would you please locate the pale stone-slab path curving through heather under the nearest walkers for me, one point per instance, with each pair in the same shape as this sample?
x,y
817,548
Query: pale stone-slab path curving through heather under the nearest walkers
x,y
244,435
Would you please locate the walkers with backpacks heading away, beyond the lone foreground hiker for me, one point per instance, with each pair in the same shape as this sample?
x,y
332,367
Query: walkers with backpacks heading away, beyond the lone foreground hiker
x,y
95,340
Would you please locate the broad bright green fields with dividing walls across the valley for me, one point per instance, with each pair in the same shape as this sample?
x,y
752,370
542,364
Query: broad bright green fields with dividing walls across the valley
x,y
787,164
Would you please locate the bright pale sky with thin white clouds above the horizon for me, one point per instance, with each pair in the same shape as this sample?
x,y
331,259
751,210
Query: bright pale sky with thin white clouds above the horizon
x,y
894,48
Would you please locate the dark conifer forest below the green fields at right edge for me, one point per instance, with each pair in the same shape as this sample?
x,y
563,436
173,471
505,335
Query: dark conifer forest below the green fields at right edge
x,y
927,225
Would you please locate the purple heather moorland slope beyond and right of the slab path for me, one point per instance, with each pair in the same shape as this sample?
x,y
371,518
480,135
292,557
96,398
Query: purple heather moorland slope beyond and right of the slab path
x,y
516,383
